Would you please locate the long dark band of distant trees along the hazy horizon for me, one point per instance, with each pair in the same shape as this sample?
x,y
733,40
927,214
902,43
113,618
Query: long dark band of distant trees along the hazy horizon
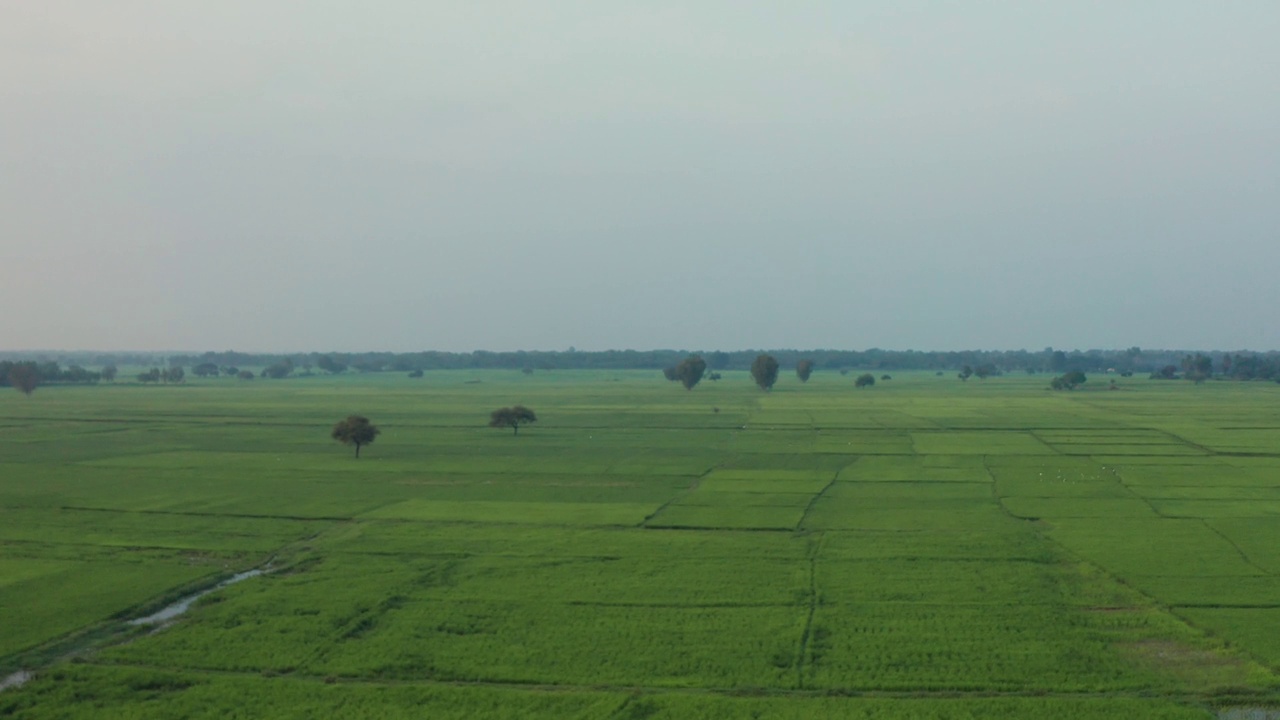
x,y
25,371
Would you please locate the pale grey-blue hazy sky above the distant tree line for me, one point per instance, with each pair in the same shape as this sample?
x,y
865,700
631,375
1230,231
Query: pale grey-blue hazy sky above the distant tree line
x,y
417,175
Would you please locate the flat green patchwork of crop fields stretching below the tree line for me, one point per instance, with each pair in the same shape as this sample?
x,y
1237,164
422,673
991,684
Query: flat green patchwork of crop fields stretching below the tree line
x,y
922,549
